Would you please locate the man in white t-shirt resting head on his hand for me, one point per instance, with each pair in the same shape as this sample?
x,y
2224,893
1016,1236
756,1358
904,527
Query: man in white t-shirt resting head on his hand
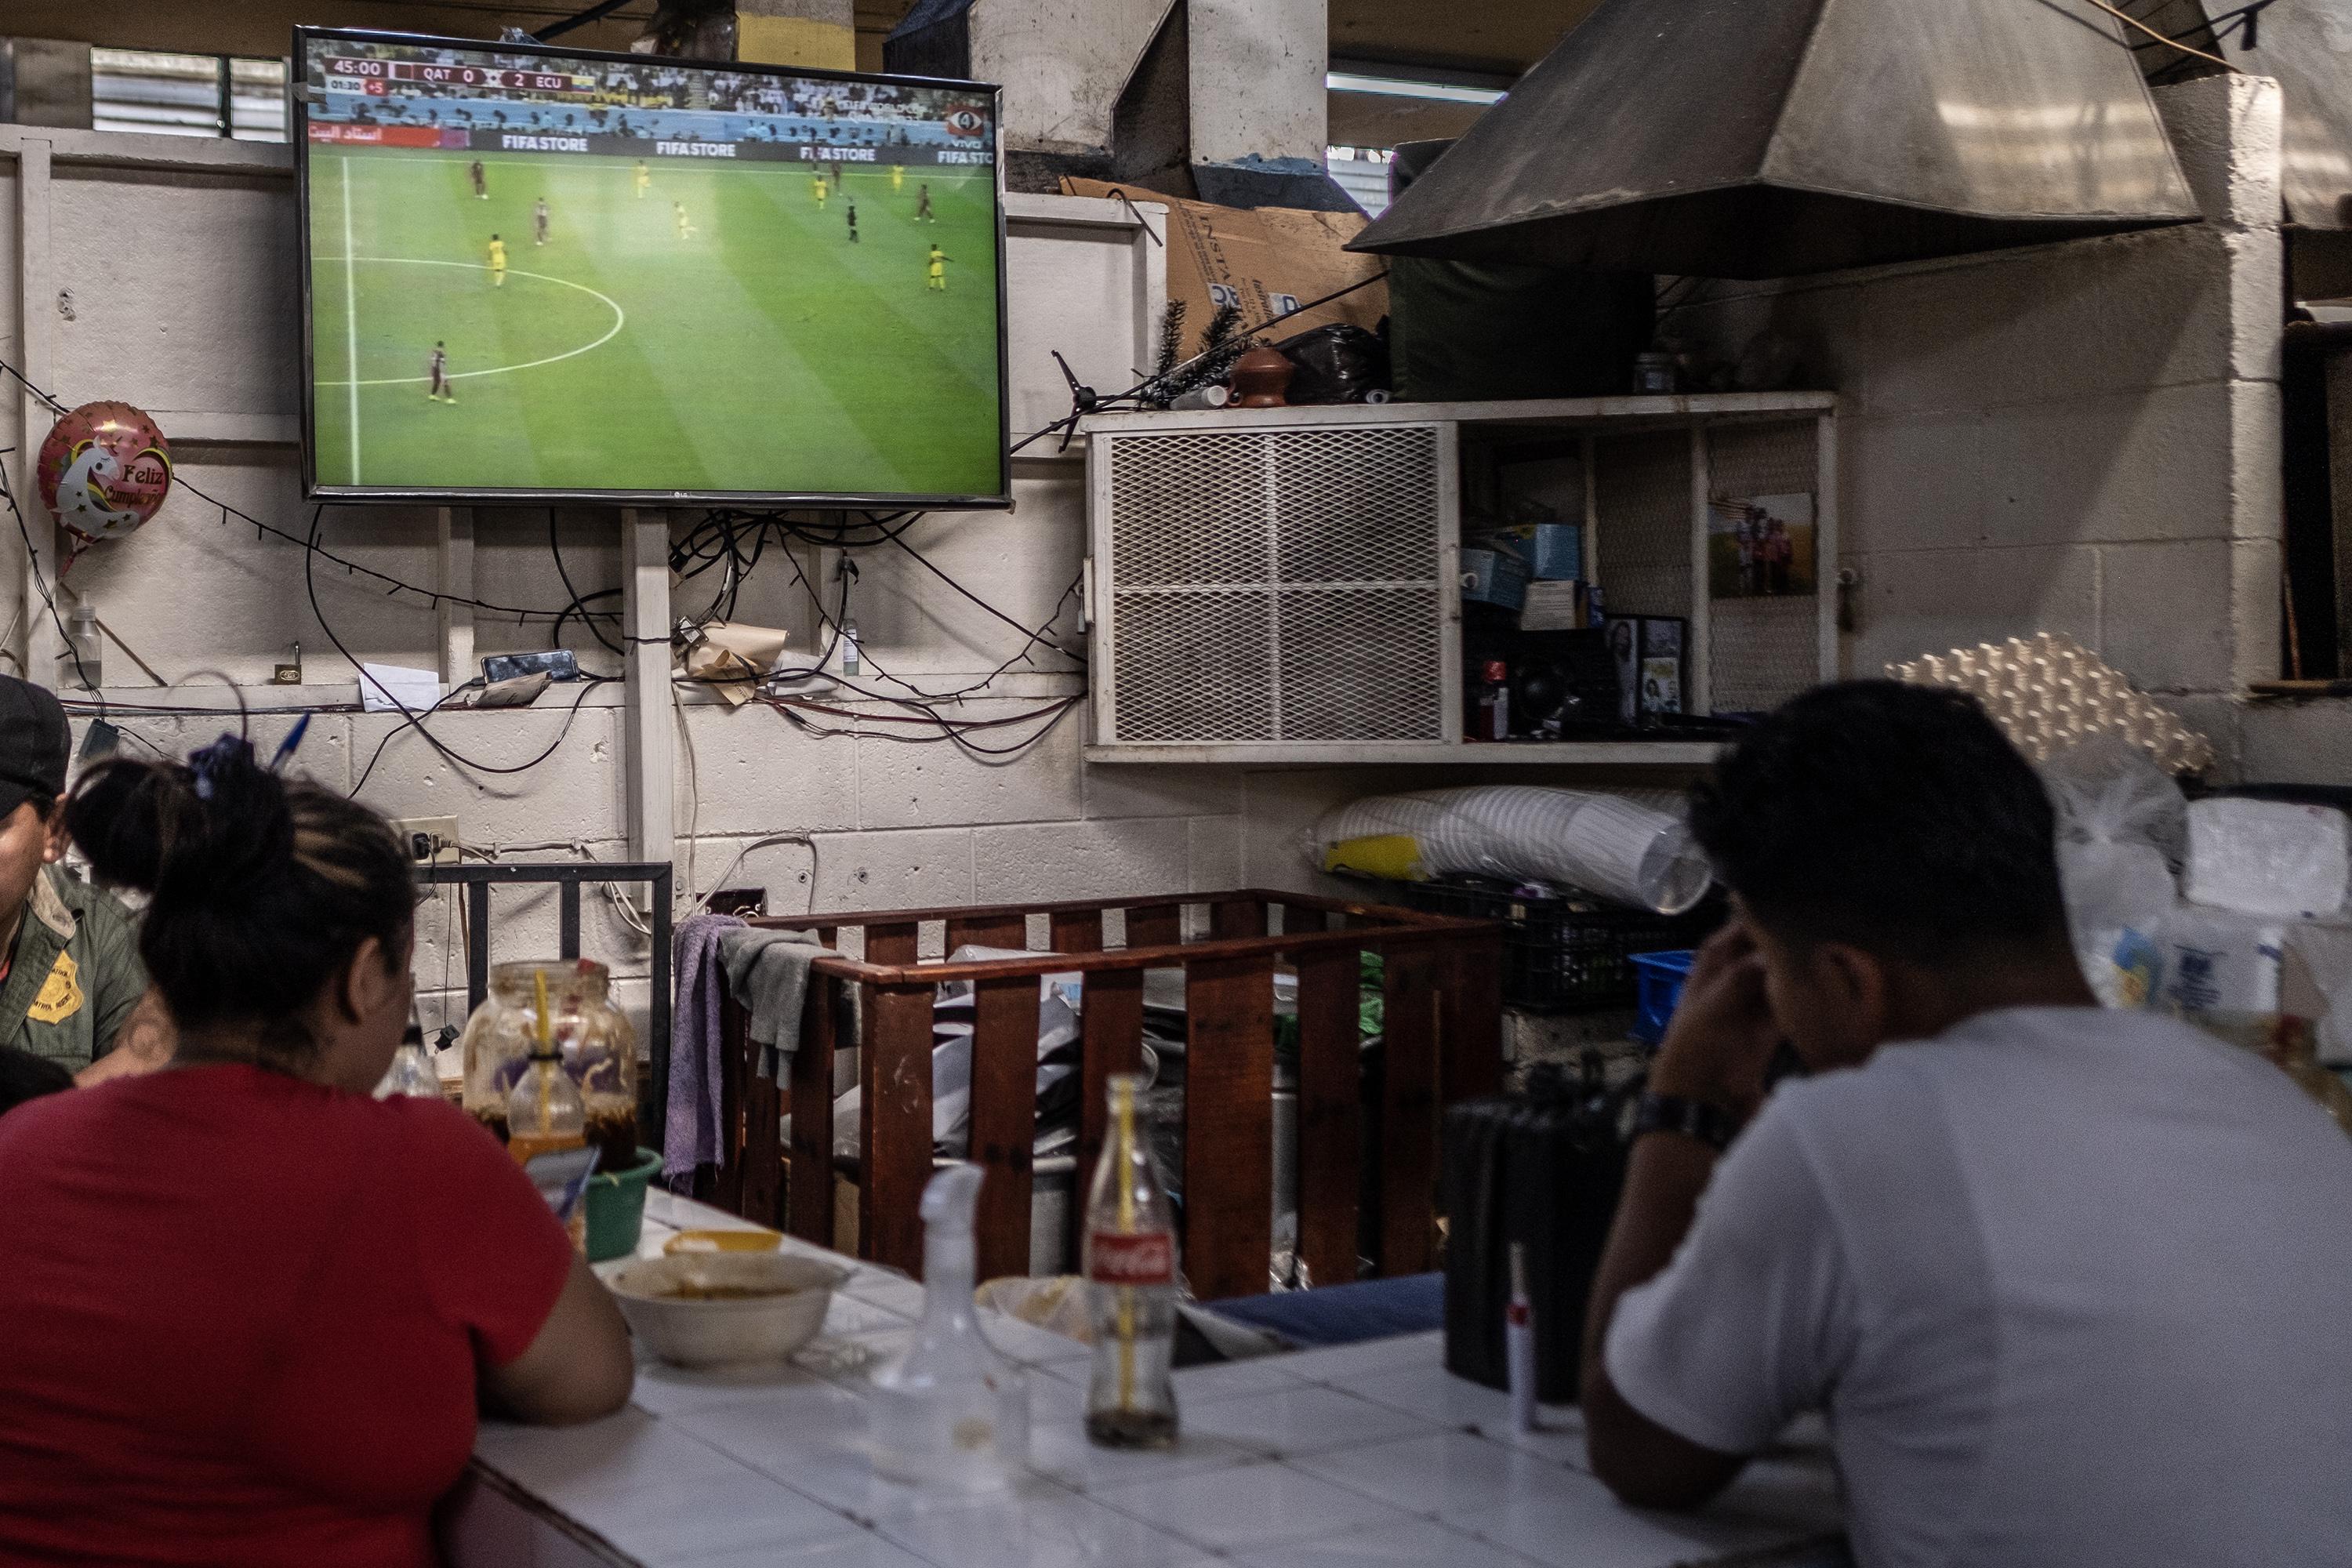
x,y
2073,1287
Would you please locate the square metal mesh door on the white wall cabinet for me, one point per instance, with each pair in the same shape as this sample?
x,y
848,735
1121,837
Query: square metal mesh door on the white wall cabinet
x,y
1271,587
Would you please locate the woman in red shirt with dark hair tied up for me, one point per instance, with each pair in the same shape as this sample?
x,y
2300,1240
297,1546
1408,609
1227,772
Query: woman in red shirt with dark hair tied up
x,y
246,1311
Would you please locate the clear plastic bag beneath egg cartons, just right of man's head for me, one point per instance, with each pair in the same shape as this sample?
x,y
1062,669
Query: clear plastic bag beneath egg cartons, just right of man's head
x,y
2120,829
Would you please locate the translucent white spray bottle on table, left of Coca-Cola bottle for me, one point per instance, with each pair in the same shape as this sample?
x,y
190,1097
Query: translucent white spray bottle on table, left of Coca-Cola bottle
x,y
951,1412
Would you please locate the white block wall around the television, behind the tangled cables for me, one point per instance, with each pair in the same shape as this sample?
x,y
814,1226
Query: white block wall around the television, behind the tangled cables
x,y
199,323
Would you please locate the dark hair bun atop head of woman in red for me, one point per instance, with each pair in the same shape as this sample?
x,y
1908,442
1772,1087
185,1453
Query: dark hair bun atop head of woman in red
x,y
182,831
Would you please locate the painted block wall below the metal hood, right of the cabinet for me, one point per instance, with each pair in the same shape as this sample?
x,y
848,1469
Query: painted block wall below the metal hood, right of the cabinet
x,y
2076,438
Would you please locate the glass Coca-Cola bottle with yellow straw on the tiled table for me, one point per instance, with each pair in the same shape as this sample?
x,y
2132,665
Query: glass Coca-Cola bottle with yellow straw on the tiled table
x,y
1130,1287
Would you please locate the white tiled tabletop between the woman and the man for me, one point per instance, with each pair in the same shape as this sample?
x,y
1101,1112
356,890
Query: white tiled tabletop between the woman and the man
x,y
1335,1459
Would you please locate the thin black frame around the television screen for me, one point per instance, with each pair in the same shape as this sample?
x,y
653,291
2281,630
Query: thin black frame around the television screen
x,y
298,91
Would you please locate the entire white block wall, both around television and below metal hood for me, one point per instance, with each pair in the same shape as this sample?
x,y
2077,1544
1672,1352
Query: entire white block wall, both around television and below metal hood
x,y
2073,438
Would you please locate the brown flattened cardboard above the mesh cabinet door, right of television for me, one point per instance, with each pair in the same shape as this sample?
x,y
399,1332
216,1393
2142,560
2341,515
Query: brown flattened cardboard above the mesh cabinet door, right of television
x,y
1267,262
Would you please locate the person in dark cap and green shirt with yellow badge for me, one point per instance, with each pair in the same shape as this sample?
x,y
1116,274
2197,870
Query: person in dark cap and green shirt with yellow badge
x,y
72,986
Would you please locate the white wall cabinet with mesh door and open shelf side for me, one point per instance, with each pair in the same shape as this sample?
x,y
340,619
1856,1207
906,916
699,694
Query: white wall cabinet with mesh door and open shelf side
x,y
1285,584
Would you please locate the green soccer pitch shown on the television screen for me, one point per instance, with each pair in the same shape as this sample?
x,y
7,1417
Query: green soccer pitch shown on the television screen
x,y
756,349
